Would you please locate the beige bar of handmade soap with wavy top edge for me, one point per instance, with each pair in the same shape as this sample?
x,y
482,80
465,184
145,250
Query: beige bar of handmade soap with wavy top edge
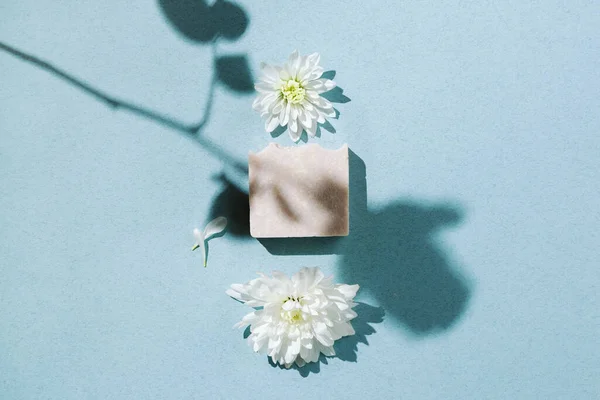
x,y
298,191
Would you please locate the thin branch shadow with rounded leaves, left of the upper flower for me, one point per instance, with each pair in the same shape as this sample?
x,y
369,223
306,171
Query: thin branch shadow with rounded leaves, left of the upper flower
x,y
195,21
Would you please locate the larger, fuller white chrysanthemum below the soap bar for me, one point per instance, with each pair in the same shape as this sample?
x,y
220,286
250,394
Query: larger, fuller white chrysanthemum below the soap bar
x,y
298,318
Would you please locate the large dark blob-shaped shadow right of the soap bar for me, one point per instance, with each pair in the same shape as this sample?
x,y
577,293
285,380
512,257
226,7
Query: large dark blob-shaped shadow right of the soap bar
x,y
395,256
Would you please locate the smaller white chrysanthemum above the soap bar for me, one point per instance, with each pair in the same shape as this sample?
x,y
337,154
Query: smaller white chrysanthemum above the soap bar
x,y
291,95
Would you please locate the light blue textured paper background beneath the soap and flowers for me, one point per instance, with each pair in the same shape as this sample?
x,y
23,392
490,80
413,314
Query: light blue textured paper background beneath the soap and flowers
x,y
478,124
